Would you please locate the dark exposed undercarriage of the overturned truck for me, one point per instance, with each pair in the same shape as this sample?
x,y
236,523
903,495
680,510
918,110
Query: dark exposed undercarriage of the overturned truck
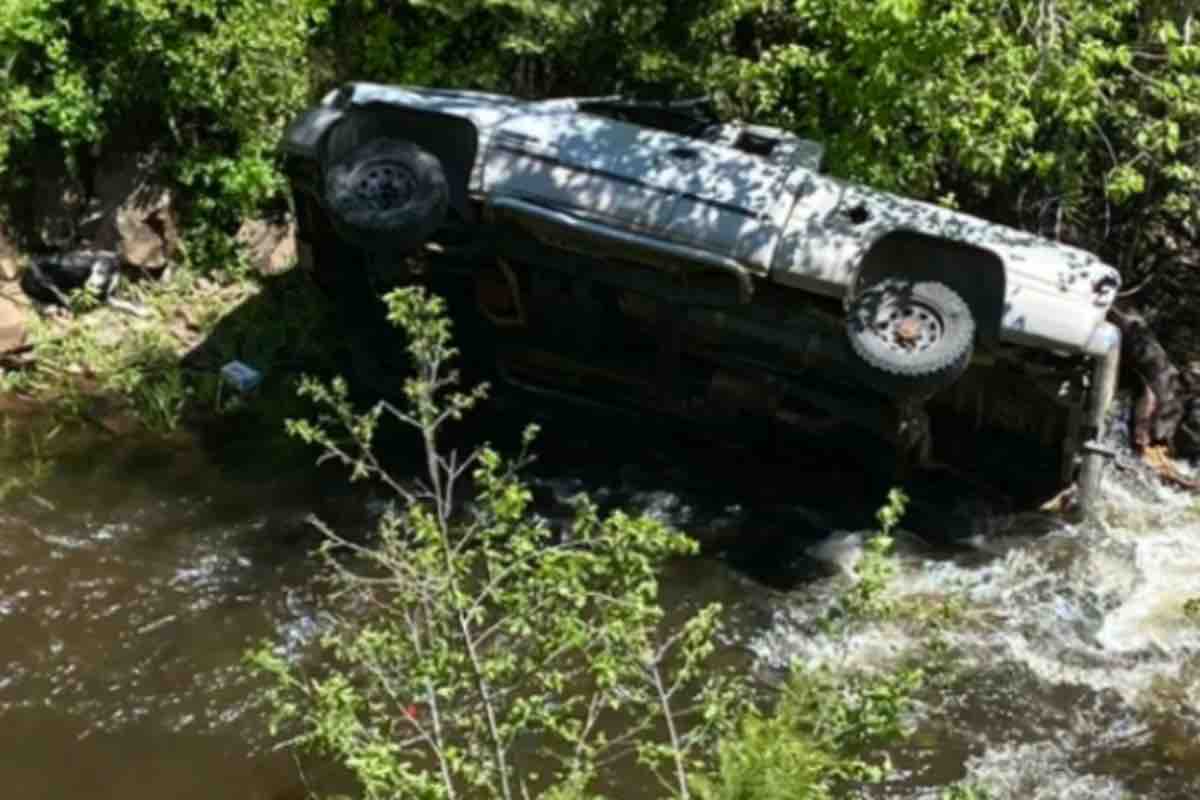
x,y
689,346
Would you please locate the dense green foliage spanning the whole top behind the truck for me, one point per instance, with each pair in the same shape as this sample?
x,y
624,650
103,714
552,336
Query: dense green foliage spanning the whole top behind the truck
x,y
1077,118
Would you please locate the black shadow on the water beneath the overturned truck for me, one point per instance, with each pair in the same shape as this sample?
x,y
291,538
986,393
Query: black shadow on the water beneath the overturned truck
x,y
757,501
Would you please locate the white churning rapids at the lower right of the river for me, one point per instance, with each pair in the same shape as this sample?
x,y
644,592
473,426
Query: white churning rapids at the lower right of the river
x,y
1079,669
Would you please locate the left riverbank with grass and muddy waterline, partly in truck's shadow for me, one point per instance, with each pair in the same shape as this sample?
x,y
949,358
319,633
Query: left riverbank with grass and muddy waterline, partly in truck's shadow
x,y
149,368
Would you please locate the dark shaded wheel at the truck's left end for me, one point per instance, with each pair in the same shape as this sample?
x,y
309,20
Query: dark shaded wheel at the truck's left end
x,y
387,195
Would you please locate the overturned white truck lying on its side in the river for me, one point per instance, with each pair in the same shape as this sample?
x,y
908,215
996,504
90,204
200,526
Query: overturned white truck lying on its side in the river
x,y
647,255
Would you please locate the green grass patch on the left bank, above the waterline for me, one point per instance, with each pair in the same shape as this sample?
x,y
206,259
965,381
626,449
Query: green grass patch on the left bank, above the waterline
x,y
107,368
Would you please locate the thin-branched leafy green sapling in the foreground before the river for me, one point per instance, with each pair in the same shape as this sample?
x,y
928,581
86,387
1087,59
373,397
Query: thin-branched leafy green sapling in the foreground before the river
x,y
477,648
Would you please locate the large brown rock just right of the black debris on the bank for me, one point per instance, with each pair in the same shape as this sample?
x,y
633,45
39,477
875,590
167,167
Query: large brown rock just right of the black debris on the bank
x,y
136,213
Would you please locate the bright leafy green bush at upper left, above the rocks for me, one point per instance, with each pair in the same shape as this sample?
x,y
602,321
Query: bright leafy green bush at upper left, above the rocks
x,y
217,80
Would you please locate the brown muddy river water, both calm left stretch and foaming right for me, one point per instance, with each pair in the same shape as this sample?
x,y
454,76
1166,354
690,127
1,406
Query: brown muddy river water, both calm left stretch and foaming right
x,y
134,579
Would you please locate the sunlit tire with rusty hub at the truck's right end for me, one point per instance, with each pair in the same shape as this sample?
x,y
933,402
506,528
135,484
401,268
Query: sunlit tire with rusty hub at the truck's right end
x,y
915,336
